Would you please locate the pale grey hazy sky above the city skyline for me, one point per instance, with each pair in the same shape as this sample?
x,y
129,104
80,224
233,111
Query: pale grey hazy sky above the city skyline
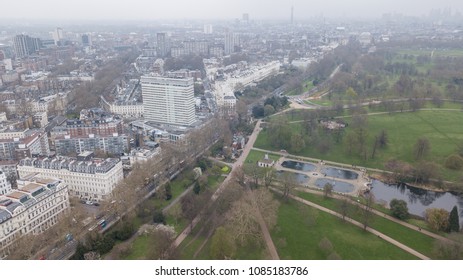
x,y
216,9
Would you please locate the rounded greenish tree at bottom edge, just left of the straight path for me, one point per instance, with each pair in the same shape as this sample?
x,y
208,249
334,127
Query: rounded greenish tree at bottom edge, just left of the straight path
x,y
222,245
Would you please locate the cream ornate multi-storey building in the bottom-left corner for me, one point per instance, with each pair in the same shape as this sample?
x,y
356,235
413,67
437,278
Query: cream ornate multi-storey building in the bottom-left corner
x,y
32,208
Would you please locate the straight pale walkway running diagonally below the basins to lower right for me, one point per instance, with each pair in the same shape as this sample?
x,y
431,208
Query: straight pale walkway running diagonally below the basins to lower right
x,y
356,223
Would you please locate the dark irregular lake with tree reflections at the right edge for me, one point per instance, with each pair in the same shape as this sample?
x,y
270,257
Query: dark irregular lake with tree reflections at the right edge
x,y
418,200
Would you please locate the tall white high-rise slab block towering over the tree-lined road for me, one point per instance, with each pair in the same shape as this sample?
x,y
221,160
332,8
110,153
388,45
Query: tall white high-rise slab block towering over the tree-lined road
x,y
168,100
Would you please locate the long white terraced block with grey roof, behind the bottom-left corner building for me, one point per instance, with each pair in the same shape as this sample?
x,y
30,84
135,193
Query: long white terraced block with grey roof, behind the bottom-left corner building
x,y
92,179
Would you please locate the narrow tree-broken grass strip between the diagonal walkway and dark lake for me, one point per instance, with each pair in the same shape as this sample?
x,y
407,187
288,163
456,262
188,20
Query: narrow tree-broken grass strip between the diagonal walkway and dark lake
x,y
412,238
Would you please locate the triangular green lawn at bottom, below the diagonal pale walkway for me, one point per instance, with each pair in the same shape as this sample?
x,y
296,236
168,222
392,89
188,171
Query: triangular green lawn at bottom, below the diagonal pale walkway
x,y
295,238
